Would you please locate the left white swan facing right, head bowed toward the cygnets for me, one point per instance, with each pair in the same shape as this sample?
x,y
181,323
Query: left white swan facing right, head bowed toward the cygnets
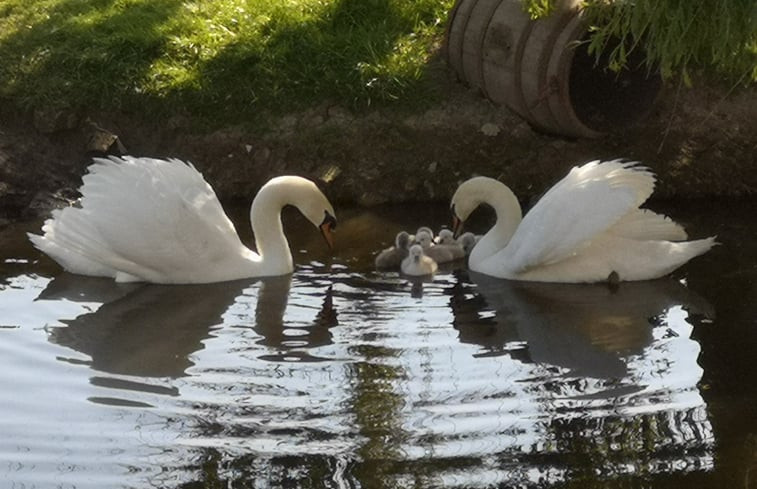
x,y
153,220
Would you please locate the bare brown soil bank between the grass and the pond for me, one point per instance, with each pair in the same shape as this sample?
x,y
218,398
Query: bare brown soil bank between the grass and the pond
x,y
701,143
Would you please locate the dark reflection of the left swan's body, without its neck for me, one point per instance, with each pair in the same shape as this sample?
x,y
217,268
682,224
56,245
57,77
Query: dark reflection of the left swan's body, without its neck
x,y
146,330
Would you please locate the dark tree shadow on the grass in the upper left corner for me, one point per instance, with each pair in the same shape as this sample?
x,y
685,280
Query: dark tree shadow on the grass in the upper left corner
x,y
84,54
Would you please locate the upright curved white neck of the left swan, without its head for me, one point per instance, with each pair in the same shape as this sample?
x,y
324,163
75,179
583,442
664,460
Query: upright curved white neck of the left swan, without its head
x,y
270,241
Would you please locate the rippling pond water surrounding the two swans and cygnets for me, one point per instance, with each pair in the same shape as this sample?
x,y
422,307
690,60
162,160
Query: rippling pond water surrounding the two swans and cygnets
x,y
342,377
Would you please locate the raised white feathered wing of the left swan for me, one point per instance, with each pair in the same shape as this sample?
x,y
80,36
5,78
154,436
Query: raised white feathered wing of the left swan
x,y
159,214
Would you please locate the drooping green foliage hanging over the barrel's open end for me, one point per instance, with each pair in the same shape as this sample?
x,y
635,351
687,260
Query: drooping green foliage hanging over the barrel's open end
x,y
715,37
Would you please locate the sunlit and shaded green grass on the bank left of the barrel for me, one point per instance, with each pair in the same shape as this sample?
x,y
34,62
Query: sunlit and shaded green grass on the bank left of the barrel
x,y
226,61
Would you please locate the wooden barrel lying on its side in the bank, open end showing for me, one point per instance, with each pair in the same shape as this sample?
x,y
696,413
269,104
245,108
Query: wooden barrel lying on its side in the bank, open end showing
x,y
541,68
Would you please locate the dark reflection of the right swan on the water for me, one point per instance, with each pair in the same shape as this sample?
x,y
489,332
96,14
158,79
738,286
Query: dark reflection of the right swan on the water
x,y
589,329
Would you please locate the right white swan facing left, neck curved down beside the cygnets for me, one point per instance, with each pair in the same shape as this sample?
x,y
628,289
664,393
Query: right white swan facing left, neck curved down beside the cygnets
x,y
587,228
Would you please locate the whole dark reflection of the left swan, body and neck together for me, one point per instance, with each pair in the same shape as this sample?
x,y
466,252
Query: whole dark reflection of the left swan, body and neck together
x,y
152,330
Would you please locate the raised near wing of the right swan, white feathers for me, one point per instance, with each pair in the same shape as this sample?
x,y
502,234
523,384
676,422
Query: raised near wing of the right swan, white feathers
x,y
588,201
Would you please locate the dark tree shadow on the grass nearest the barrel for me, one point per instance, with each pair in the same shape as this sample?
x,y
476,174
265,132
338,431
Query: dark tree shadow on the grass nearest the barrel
x,y
337,56
